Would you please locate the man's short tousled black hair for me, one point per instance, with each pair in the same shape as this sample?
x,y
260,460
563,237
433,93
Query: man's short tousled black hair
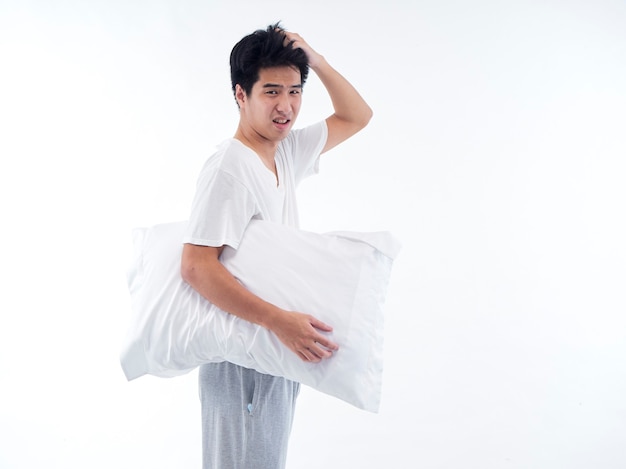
x,y
264,48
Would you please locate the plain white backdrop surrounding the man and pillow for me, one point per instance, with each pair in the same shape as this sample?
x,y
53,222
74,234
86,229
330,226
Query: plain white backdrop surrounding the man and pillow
x,y
496,154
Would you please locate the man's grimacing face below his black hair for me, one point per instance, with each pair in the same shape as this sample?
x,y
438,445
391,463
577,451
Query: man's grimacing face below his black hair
x,y
271,108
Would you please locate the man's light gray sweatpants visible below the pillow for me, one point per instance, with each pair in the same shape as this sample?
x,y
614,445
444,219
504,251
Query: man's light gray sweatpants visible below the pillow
x,y
246,417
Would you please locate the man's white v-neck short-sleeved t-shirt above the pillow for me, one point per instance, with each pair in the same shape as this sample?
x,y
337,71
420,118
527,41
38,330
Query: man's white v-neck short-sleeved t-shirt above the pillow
x,y
235,186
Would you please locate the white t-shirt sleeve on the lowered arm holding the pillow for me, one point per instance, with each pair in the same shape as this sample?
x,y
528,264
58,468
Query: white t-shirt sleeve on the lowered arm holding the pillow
x,y
221,210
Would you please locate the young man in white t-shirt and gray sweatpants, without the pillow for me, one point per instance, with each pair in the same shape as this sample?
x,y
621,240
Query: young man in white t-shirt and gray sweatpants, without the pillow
x,y
247,416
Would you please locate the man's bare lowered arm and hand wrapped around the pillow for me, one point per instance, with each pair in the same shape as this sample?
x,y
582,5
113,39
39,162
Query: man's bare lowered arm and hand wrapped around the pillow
x,y
202,269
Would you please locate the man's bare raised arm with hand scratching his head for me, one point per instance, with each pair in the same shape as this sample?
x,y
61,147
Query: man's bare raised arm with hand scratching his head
x,y
351,112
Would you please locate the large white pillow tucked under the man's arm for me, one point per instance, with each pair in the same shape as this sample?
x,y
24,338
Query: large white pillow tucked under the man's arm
x,y
341,278
